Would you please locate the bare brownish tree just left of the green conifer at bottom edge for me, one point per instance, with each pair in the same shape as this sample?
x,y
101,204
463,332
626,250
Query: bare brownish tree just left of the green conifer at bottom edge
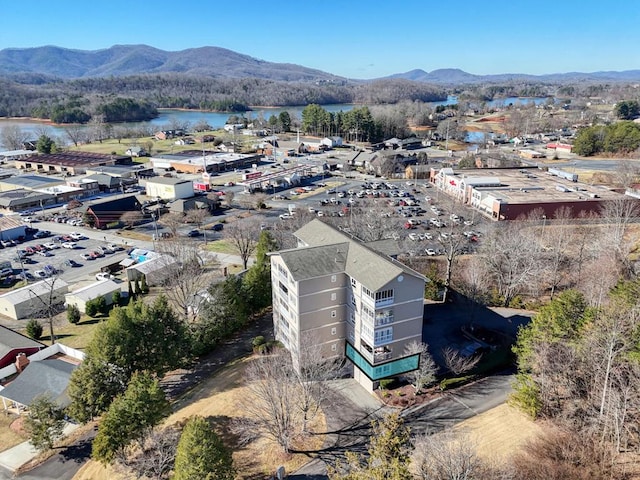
x,y
152,456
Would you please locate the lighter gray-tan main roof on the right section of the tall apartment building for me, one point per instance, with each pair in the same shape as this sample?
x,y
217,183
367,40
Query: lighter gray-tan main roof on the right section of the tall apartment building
x,y
362,263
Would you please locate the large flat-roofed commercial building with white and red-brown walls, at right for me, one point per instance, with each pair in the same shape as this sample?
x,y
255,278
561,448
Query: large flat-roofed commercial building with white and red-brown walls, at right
x,y
507,194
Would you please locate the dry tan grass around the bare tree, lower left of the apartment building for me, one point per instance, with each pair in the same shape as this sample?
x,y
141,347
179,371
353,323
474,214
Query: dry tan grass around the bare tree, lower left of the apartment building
x,y
220,398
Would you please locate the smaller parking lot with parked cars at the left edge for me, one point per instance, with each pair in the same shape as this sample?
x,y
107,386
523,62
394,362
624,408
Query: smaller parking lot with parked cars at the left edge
x,y
80,259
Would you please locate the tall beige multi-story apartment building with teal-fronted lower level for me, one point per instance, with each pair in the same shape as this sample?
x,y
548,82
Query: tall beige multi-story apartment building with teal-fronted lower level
x,y
350,300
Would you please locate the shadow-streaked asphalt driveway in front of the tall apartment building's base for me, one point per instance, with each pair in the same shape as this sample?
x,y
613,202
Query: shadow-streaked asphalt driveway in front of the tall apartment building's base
x,y
452,408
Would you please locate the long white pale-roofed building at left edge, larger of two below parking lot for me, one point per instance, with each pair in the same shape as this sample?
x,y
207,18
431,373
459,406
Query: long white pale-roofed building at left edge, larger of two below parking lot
x,y
33,300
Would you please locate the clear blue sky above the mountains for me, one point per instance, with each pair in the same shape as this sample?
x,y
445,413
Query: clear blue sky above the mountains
x,y
355,39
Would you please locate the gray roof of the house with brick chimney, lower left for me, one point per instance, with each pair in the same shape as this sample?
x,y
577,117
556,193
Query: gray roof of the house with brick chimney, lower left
x,y
46,377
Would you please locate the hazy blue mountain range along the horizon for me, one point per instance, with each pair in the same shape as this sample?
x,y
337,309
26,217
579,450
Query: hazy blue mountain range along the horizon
x,y
123,60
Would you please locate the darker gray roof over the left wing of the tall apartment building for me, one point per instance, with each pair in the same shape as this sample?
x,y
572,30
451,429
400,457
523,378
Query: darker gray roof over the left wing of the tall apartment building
x,y
305,263
